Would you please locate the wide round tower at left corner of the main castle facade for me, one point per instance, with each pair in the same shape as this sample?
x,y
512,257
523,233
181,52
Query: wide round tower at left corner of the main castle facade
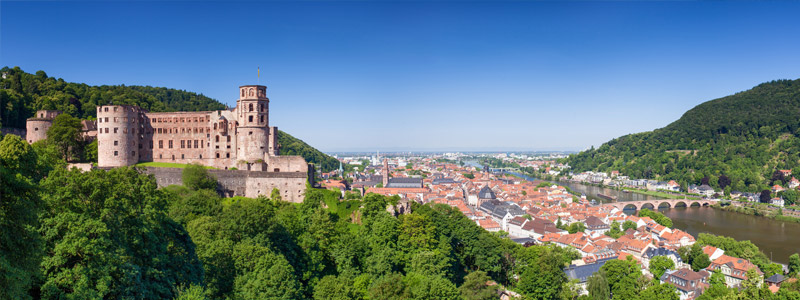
x,y
118,131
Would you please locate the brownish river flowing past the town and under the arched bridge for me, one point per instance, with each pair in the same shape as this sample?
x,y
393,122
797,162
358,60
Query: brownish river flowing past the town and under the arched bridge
x,y
776,239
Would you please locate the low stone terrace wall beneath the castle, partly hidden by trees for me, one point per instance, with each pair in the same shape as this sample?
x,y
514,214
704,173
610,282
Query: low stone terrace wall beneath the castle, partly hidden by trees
x,y
243,183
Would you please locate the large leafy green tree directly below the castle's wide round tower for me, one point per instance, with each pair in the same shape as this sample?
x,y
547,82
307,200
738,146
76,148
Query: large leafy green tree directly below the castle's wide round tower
x,y
108,235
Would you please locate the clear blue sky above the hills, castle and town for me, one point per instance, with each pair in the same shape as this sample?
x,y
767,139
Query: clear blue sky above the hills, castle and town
x,y
378,75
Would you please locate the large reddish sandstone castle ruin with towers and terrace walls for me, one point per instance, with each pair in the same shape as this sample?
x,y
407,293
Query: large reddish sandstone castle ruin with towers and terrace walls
x,y
239,142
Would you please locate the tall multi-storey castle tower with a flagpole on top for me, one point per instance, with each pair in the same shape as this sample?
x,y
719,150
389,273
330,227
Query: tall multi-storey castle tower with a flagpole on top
x,y
252,113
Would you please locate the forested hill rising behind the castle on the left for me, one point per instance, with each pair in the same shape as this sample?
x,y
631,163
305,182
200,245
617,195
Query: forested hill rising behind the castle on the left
x,y
22,94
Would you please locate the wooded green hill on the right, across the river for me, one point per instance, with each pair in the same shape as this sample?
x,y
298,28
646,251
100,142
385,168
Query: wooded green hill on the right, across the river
x,y
745,136
